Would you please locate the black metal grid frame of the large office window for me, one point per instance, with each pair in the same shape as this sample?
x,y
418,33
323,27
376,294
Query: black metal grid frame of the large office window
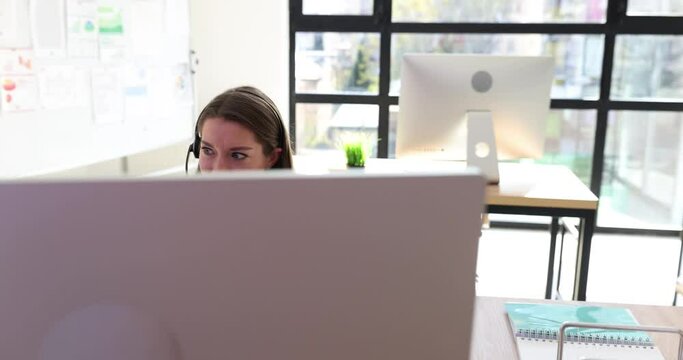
x,y
617,22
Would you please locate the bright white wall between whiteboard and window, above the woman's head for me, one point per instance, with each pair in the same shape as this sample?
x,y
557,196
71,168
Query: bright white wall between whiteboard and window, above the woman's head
x,y
241,42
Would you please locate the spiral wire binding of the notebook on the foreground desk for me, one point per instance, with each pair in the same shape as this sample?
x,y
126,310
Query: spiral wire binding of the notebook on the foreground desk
x,y
552,335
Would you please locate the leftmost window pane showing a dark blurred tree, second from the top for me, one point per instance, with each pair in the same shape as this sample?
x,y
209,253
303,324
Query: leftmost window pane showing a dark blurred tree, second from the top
x,y
337,63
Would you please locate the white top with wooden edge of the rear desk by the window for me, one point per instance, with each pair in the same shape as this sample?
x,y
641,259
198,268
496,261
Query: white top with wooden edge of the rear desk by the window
x,y
529,185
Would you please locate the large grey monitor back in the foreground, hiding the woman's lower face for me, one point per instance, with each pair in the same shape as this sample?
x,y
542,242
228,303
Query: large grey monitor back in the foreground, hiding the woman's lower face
x,y
269,265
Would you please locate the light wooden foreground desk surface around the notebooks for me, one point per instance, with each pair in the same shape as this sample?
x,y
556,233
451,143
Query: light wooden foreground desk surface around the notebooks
x,y
492,336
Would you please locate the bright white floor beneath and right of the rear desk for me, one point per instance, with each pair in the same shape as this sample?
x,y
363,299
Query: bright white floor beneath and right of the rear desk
x,y
623,268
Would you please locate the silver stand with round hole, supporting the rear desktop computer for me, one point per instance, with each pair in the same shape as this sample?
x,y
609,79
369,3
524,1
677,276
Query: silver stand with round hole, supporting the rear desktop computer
x,y
481,144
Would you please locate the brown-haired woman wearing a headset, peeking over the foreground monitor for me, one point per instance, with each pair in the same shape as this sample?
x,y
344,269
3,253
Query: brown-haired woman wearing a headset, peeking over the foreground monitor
x,y
241,129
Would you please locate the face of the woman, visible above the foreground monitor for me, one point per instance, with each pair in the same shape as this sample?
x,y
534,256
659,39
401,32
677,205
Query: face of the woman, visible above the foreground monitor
x,y
228,145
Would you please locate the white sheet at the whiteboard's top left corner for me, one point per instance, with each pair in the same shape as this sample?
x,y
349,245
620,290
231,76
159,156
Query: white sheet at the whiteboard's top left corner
x,y
14,24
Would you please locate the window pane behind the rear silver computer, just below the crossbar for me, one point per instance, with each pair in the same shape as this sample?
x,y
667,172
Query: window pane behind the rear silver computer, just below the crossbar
x,y
570,136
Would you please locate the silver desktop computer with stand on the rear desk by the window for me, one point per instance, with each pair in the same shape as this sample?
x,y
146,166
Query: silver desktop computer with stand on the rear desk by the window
x,y
478,108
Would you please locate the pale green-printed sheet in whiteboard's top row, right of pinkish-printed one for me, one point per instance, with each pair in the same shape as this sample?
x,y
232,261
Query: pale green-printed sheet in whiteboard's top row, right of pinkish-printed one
x,y
112,42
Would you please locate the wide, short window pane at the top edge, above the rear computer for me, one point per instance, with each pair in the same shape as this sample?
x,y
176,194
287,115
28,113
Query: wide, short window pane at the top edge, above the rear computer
x,y
500,11
